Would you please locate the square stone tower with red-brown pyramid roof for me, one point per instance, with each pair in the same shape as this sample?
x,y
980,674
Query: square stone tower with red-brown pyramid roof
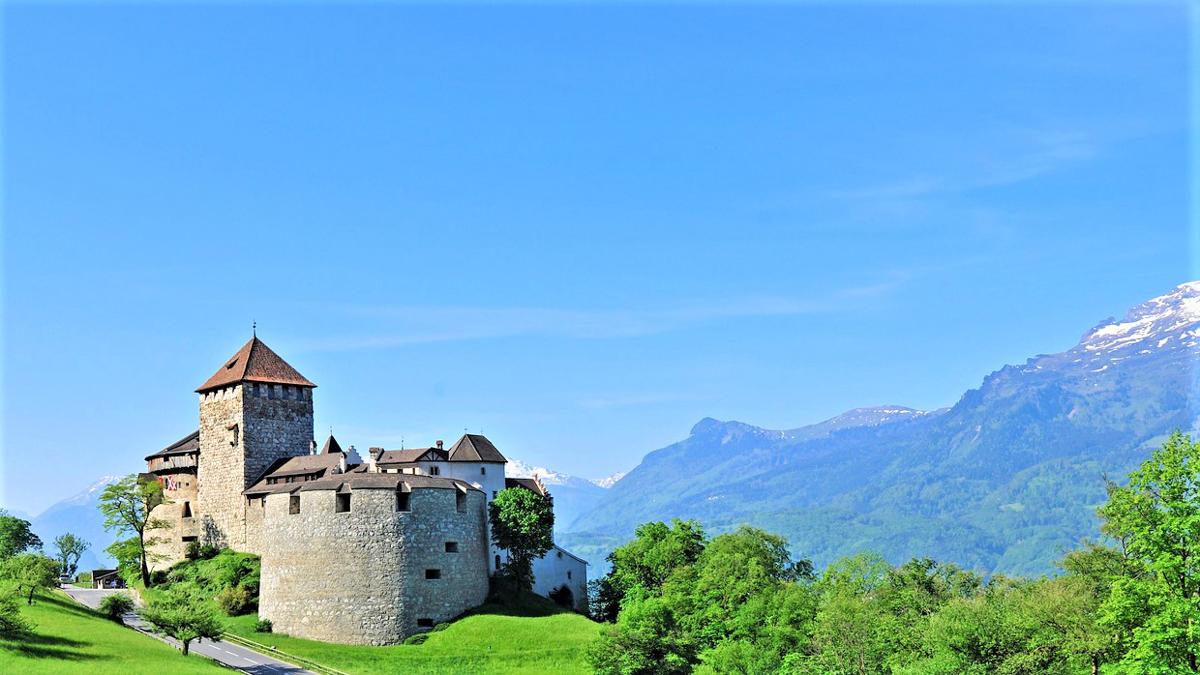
x,y
255,411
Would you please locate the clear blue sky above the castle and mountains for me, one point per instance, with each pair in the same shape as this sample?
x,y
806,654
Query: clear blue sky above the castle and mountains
x,y
579,230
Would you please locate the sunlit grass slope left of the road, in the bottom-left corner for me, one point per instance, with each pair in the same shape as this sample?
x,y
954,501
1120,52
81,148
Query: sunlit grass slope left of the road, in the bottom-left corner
x,y
71,638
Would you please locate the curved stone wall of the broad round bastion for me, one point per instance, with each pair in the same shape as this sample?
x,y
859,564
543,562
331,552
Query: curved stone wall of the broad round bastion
x,y
361,577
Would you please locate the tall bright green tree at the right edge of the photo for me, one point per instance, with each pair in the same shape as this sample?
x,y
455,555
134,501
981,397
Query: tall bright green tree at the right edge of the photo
x,y
1157,521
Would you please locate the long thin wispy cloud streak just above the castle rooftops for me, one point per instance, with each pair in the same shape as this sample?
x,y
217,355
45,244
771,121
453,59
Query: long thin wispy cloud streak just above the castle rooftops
x,y
388,327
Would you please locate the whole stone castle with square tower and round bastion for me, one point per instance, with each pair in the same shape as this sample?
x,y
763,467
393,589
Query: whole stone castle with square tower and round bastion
x,y
358,551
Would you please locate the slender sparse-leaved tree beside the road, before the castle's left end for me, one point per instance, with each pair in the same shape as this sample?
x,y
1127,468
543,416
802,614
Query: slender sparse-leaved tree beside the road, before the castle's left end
x,y
127,506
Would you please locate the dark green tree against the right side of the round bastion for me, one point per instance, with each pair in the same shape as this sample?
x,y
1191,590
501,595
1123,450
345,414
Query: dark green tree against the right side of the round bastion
x,y
524,525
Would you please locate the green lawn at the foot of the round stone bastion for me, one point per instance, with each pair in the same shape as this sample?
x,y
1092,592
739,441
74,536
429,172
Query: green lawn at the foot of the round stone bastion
x,y
536,638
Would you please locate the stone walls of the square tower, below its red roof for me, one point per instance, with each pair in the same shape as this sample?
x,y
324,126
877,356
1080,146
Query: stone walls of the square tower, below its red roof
x,y
273,422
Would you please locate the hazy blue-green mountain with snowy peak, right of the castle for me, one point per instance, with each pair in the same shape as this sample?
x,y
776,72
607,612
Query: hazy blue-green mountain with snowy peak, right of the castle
x,y
1004,481
